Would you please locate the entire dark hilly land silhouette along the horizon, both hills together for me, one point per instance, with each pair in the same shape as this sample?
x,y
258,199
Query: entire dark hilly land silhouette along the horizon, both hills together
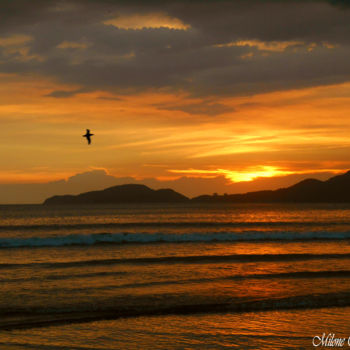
x,y
334,190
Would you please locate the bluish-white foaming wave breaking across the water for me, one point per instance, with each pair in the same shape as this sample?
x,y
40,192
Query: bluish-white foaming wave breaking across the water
x,y
142,238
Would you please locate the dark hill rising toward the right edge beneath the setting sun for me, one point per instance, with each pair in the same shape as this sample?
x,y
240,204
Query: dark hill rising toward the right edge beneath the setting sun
x,y
336,189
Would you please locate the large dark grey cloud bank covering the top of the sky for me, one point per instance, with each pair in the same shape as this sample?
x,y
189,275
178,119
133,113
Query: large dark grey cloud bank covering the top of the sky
x,y
70,43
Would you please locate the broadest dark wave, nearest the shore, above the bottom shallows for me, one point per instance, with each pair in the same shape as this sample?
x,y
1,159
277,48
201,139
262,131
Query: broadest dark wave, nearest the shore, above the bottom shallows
x,y
33,318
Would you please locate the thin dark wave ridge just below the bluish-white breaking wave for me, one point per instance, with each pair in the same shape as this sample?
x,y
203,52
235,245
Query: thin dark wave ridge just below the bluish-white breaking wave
x,y
192,259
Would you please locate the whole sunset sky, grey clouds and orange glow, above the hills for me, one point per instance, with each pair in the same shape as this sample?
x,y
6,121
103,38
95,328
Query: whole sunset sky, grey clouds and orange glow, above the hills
x,y
231,90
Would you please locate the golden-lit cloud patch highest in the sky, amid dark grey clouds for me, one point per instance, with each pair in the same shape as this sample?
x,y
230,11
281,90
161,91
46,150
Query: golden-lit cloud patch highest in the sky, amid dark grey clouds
x,y
150,20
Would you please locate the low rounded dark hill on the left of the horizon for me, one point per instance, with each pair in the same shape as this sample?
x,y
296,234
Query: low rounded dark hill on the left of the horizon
x,y
132,193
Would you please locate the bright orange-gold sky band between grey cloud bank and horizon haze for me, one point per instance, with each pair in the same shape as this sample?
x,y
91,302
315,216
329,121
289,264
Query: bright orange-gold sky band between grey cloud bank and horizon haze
x,y
301,131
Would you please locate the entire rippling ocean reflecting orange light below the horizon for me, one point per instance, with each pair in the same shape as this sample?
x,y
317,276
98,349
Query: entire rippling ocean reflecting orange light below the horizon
x,y
193,276
